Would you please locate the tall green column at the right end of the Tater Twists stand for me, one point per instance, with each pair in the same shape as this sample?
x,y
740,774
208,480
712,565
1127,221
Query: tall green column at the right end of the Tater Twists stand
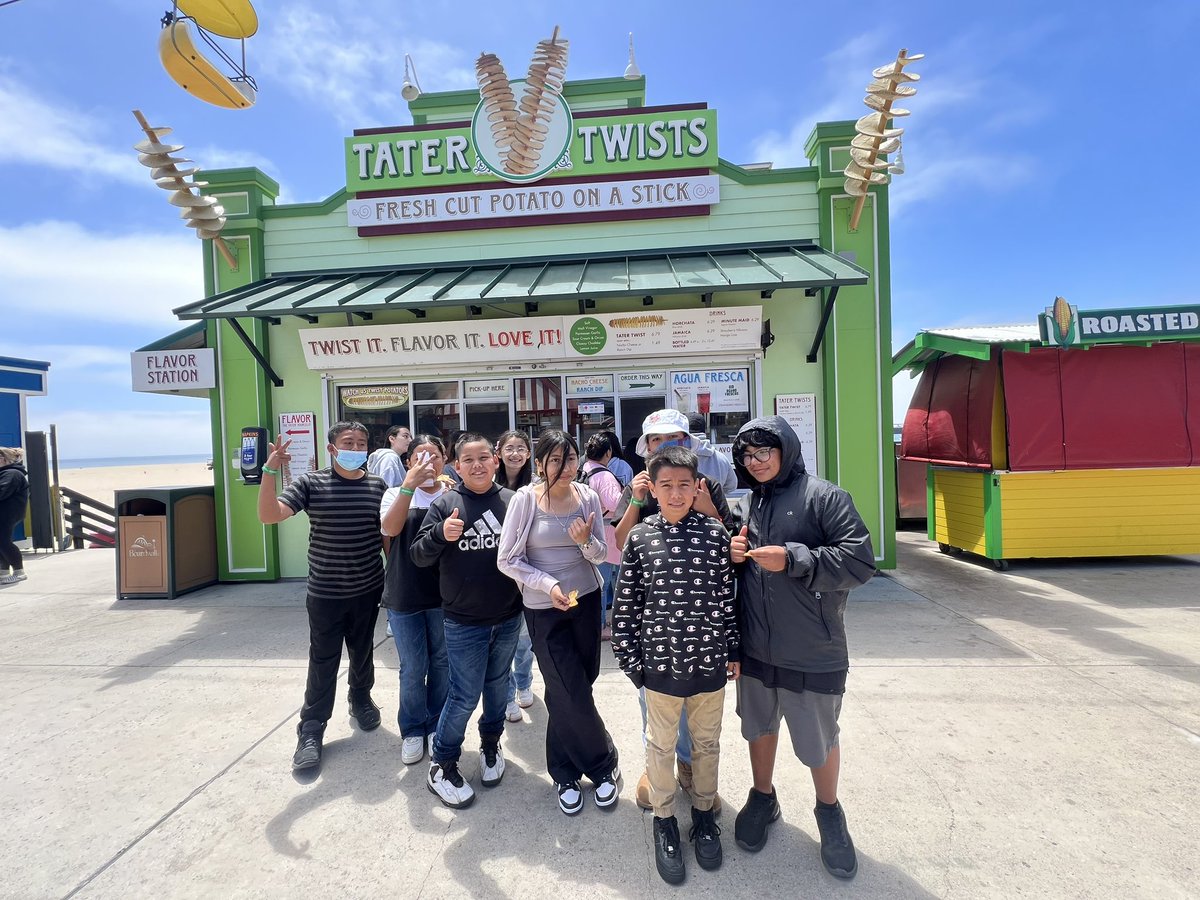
x,y
856,356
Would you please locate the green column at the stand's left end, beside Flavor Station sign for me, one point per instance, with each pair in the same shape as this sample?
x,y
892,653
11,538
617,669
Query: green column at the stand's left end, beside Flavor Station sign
x,y
247,550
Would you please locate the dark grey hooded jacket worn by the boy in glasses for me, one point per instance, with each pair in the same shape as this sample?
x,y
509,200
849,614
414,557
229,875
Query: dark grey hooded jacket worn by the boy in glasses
x,y
794,620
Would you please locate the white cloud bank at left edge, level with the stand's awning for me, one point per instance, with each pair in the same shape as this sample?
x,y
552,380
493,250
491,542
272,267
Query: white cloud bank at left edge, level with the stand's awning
x,y
99,278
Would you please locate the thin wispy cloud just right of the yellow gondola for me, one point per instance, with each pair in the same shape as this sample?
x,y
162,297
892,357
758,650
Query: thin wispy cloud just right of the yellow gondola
x,y
351,67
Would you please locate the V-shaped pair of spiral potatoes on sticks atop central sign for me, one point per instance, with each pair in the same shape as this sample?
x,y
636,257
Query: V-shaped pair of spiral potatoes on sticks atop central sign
x,y
520,130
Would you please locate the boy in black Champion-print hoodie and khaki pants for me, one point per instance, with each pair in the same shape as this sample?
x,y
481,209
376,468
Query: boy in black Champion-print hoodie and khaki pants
x,y
676,634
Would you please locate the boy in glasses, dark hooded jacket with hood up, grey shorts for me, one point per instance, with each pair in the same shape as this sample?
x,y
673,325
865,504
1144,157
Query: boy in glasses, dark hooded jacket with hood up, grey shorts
x,y
803,548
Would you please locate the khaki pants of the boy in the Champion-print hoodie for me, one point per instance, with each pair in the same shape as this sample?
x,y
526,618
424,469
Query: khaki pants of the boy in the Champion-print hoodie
x,y
705,713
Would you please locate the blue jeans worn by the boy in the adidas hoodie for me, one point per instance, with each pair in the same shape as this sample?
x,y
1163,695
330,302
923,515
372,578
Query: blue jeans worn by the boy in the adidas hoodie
x,y
481,659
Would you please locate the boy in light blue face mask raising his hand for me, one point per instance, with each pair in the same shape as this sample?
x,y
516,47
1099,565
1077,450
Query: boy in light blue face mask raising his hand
x,y
345,577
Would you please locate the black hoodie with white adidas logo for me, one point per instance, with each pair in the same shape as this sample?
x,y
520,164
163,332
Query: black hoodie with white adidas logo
x,y
473,591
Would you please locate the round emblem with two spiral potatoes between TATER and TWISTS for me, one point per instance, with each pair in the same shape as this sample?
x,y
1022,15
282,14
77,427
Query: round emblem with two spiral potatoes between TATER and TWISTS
x,y
523,129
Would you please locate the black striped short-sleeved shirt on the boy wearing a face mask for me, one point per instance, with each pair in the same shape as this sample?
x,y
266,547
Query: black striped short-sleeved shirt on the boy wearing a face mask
x,y
345,545
